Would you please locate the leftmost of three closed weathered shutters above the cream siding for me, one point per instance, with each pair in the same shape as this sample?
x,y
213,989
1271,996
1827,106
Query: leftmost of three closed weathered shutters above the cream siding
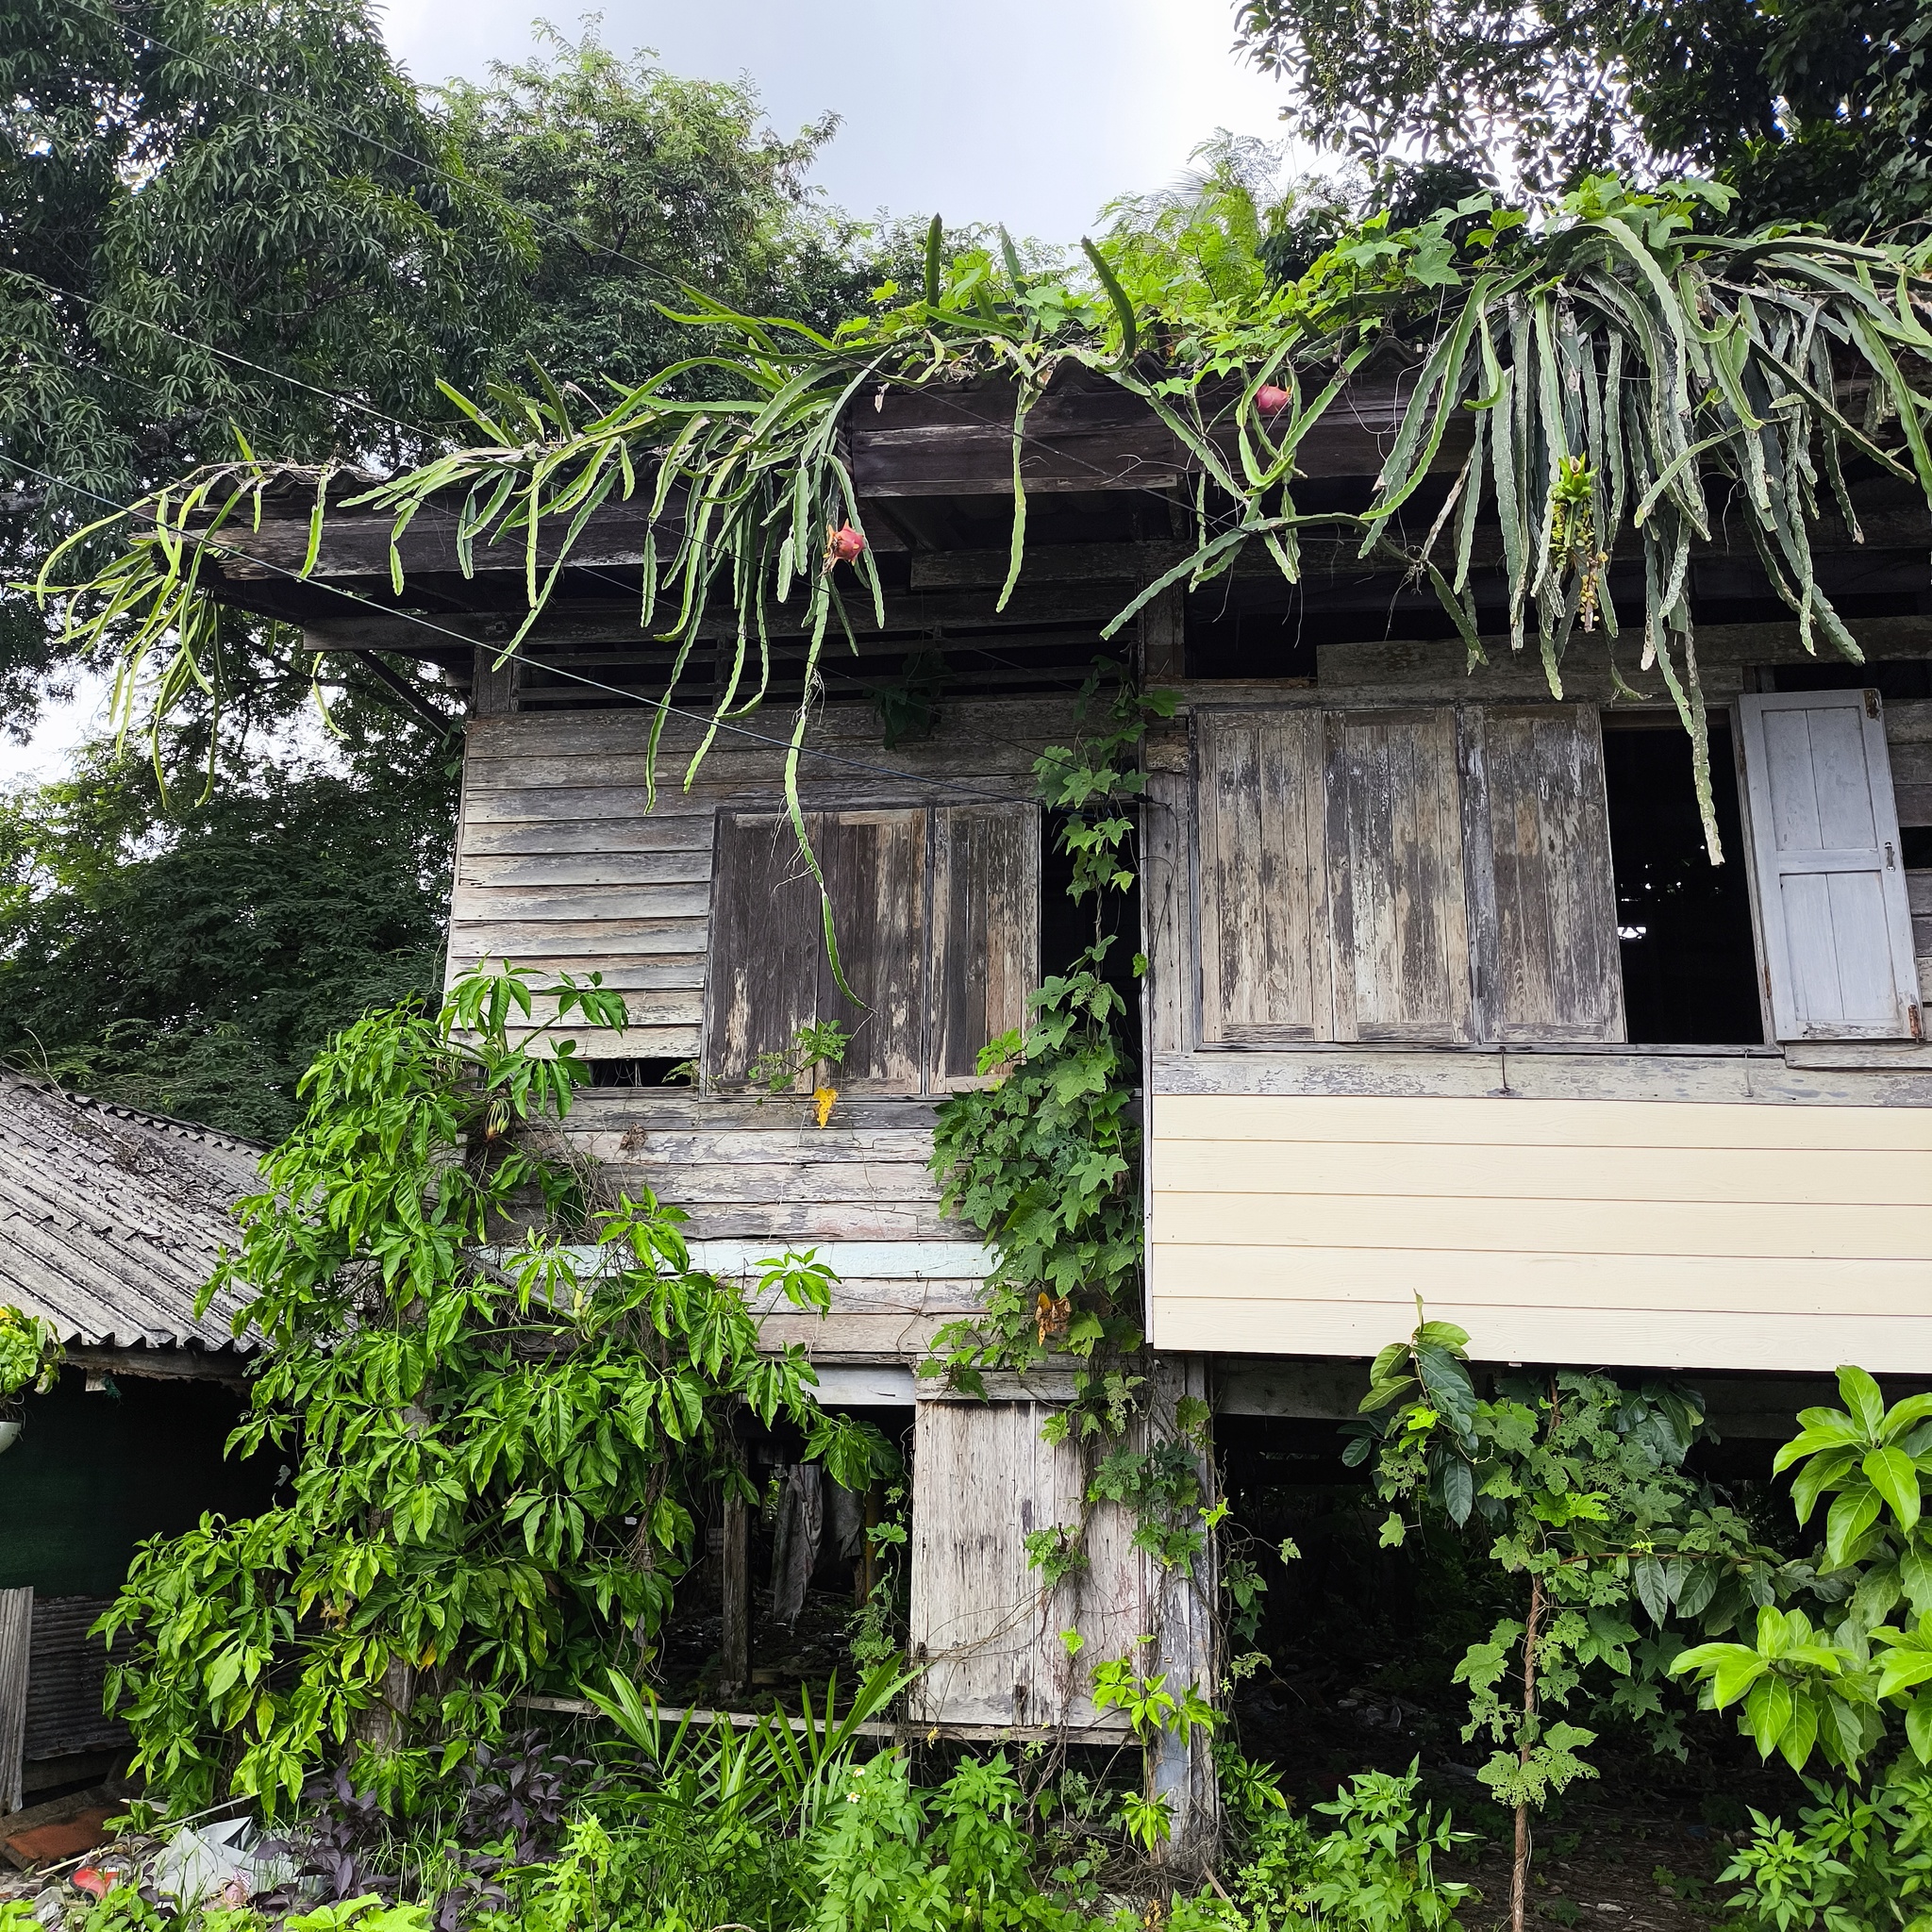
x,y
1259,791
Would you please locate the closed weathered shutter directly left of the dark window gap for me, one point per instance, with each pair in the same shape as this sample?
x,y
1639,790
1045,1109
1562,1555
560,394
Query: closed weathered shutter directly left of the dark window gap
x,y
1543,899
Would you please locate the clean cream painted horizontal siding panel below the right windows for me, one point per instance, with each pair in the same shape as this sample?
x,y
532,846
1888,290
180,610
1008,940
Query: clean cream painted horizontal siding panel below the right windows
x,y
1672,1236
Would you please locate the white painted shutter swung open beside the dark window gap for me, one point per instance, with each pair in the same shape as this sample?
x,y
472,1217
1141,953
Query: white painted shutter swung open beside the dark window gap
x,y
1825,830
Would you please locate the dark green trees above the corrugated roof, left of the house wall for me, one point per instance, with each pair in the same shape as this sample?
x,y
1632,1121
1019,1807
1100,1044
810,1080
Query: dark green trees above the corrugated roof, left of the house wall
x,y
173,957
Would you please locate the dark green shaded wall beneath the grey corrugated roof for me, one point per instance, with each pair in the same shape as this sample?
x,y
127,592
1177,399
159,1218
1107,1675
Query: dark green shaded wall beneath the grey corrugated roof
x,y
92,1475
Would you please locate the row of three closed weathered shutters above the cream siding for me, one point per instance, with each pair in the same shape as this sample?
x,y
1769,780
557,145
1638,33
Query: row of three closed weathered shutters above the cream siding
x,y
1400,874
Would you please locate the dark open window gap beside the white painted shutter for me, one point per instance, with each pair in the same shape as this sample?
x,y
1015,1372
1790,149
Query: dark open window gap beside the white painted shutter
x,y
1690,967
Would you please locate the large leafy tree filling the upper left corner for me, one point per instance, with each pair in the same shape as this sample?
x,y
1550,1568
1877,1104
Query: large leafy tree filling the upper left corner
x,y
221,217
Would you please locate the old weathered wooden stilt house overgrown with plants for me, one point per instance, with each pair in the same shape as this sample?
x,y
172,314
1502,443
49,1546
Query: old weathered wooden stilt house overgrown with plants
x,y
1444,994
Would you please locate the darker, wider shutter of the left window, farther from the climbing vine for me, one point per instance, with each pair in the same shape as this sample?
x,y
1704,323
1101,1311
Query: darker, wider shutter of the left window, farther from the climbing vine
x,y
770,971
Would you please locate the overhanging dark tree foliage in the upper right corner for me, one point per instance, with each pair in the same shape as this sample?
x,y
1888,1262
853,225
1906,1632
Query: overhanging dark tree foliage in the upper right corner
x,y
1811,113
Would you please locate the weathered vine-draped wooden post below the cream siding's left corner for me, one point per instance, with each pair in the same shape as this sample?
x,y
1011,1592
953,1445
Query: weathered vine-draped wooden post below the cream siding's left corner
x,y
1185,1651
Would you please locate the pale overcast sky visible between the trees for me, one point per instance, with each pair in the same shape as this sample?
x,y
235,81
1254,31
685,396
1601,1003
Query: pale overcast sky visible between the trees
x,y
1033,113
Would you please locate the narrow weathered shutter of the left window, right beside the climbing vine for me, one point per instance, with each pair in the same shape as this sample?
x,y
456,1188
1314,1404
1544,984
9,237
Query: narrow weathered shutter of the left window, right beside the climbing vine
x,y
986,934
